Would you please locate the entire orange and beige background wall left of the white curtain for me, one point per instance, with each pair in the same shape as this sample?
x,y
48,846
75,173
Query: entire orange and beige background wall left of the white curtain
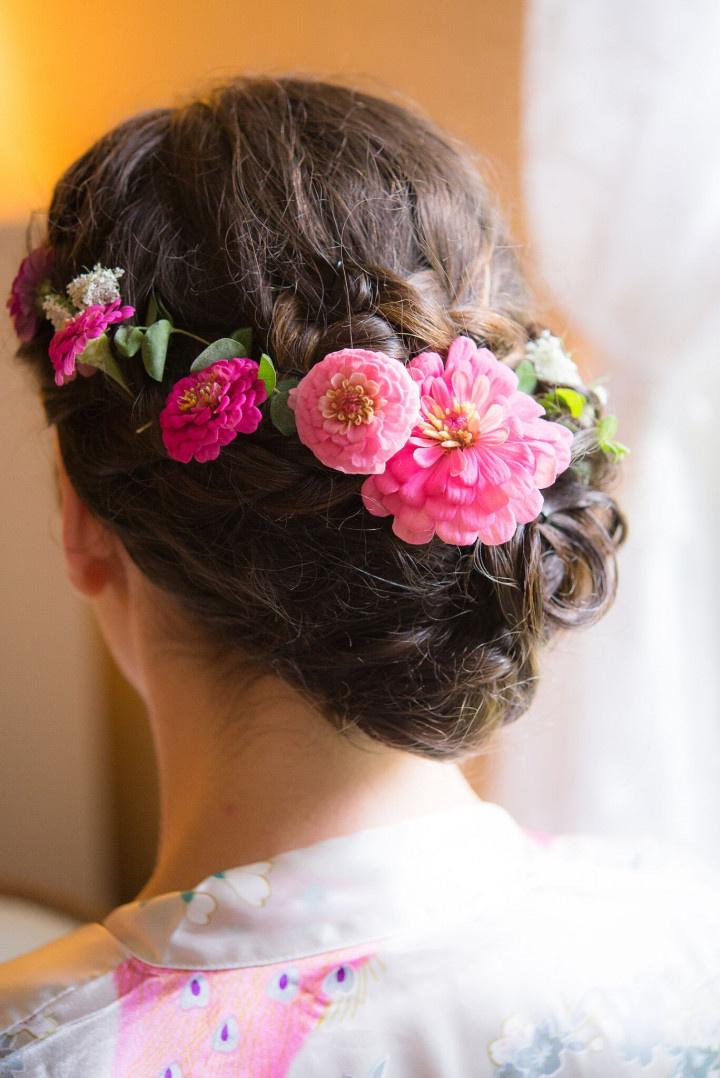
x,y
75,757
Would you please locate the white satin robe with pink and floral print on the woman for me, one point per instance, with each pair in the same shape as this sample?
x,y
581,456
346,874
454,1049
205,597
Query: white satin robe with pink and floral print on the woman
x,y
453,944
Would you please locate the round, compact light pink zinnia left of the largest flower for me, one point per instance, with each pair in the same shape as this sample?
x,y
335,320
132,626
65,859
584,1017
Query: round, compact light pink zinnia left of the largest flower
x,y
355,409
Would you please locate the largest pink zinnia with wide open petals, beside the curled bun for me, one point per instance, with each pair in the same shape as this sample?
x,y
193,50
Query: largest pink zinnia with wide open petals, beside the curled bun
x,y
478,458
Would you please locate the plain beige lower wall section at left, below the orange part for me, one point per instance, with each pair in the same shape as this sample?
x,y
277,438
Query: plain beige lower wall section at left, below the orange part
x,y
54,812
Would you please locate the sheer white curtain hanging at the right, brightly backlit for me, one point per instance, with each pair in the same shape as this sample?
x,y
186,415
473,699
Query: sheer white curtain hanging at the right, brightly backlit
x,y
622,188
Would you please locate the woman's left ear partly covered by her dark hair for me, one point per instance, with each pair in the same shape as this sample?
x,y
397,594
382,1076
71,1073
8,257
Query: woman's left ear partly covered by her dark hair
x,y
91,551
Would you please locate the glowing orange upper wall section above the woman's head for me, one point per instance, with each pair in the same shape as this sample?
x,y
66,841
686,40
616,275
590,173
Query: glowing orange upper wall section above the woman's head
x,y
70,71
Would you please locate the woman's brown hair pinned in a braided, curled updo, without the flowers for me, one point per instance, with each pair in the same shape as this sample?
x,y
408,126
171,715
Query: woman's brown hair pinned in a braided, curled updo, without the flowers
x,y
323,218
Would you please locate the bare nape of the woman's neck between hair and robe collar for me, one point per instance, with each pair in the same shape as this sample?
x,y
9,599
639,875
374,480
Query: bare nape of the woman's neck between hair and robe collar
x,y
243,783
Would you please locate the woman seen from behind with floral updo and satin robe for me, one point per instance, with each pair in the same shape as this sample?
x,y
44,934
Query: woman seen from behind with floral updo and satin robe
x,y
306,416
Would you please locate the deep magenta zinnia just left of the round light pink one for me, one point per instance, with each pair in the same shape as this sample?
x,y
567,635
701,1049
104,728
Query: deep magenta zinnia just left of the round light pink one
x,y
209,409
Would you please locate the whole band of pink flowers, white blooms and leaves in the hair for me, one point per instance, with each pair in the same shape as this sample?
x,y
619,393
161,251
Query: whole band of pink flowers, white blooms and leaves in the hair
x,y
455,448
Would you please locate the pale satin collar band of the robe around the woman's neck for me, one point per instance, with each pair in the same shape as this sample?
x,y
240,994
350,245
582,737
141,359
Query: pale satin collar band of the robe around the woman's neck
x,y
417,875
